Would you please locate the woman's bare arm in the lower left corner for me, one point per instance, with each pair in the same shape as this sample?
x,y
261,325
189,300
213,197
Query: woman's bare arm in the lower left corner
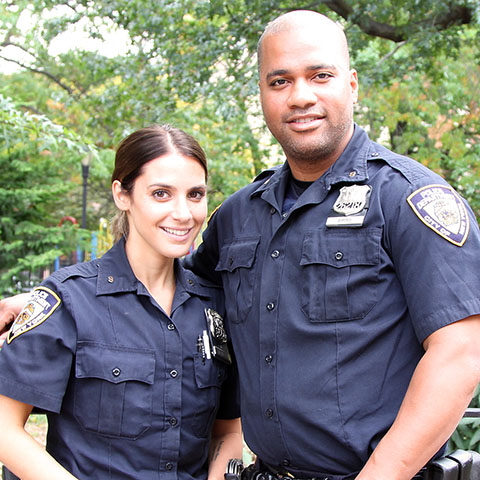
x,y
21,454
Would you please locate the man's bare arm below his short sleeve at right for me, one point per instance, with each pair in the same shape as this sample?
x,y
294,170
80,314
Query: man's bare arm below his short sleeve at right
x,y
439,392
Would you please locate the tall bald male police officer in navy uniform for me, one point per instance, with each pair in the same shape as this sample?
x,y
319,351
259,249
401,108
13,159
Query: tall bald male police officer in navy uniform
x,y
351,279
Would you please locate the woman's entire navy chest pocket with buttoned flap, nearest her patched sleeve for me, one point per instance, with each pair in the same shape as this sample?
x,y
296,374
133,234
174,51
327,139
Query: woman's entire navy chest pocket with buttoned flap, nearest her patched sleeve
x,y
113,389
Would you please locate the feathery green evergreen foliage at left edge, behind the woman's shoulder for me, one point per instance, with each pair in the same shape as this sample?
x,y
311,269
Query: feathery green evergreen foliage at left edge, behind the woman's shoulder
x,y
32,192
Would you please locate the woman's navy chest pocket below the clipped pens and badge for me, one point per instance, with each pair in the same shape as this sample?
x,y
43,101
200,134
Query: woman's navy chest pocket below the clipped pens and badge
x,y
209,376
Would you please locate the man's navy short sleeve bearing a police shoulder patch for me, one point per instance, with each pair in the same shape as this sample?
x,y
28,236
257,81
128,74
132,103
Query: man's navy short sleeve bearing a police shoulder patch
x,y
439,276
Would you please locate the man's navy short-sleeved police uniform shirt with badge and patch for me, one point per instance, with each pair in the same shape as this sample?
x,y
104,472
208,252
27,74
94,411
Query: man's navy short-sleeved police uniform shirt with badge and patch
x,y
328,322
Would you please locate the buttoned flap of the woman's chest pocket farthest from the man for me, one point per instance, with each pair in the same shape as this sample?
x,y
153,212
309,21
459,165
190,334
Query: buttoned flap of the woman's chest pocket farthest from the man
x,y
114,364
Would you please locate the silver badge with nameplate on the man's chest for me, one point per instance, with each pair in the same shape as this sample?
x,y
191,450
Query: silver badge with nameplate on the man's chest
x,y
351,206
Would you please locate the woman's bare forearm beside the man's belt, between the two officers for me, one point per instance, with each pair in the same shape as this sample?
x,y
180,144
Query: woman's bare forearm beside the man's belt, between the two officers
x,y
226,443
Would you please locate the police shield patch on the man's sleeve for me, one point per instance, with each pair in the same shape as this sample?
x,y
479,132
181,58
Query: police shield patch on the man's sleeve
x,y
440,208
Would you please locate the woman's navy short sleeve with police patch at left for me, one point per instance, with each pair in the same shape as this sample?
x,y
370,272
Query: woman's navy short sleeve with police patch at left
x,y
36,360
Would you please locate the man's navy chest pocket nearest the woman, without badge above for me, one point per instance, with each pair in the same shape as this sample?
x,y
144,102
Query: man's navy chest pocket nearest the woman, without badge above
x,y
235,263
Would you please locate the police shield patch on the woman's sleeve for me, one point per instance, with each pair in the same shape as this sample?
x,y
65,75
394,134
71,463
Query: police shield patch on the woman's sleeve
x,y
41,305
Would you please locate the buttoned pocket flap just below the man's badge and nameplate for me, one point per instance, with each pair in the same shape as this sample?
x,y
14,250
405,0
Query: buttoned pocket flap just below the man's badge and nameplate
x,y
341,248
